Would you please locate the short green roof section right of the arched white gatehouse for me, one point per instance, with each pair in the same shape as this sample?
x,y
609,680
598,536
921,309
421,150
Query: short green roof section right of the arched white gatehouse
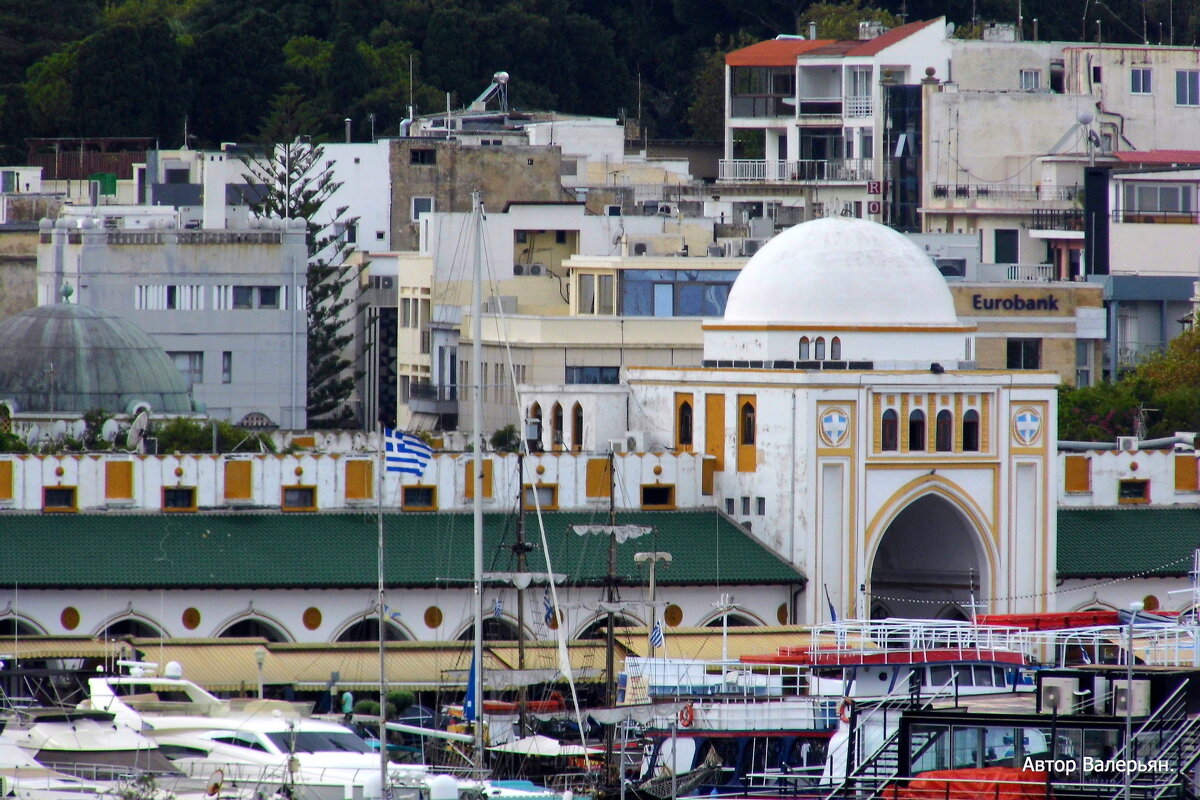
x,y
1103,543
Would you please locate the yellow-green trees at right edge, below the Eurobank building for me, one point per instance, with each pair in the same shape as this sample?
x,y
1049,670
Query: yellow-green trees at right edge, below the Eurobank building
x,y
1157,400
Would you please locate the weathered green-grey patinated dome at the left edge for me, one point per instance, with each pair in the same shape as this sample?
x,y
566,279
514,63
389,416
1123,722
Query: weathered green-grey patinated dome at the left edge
x,y
99,362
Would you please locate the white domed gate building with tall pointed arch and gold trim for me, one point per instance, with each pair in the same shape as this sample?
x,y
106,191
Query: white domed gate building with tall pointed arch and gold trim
x,y
844,422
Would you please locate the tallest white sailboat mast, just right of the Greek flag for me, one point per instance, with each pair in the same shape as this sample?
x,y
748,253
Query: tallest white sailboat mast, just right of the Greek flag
x,y
477,465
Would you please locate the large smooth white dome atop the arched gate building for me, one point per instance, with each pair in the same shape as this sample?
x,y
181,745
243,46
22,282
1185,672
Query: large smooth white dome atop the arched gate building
x,y
841,272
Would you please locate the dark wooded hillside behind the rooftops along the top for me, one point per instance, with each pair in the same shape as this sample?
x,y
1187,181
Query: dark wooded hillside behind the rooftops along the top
x,y
140,68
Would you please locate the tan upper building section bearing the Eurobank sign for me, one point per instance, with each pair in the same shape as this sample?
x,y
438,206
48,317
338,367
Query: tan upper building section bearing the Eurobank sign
x,y
1037,326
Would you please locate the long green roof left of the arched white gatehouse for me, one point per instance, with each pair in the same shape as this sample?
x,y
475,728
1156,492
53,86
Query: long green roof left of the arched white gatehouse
x,y
339,550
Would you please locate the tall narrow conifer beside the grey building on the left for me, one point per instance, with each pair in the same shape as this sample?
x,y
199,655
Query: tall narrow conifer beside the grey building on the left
x,y
298,183
